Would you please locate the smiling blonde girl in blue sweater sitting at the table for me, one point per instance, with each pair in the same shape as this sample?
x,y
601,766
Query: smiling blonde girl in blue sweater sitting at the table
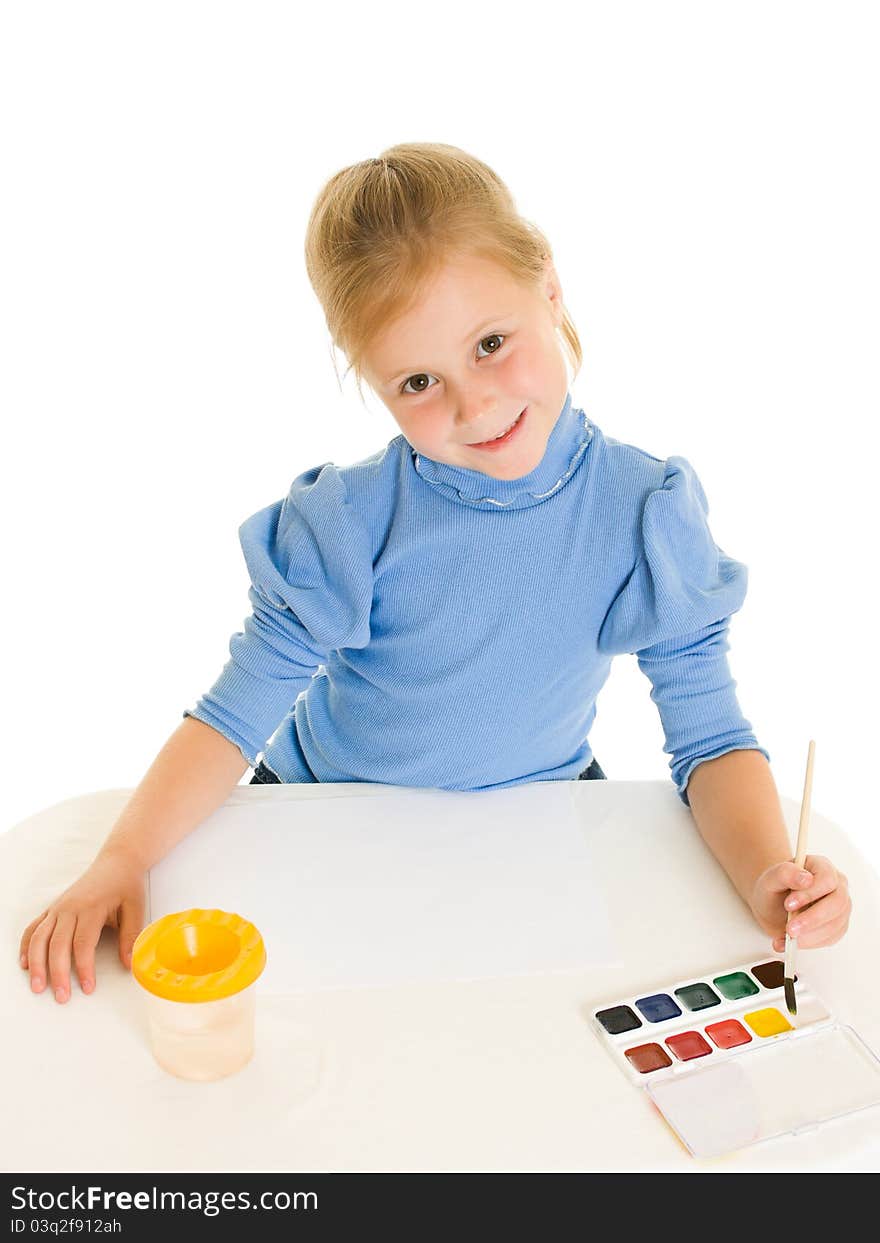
x,y
446,612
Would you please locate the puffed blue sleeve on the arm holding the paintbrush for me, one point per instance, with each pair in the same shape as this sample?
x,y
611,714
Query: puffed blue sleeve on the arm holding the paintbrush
x,y
674,615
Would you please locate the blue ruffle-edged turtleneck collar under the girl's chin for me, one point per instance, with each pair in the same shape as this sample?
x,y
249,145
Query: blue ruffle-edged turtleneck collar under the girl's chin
x,y
566,449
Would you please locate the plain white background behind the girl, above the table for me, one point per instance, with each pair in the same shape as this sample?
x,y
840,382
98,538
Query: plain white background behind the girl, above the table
x,y
708,178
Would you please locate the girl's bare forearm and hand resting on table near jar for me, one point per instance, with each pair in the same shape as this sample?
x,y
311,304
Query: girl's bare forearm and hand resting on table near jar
x,y
193,774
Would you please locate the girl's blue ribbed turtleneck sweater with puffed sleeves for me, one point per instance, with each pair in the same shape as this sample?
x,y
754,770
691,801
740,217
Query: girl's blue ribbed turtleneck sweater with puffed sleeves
x,y
423,625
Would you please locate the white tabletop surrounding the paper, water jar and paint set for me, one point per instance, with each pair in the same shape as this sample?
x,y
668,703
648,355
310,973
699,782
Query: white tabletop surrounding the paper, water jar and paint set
x,y
489,1076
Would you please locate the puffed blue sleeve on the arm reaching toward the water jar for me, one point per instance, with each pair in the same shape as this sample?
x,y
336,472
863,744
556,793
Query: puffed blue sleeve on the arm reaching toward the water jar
x,y
311,592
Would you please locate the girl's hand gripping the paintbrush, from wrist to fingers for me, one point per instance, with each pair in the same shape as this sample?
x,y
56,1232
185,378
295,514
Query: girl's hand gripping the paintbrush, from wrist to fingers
x,y
817,898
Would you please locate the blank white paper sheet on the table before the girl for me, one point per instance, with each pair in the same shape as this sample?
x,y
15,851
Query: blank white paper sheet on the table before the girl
x,y
403,887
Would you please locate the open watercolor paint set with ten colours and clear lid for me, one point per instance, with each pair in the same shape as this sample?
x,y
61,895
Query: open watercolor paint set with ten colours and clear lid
x,y
728,1066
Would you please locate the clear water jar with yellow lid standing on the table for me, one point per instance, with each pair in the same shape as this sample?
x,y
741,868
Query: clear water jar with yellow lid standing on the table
x,y
198,971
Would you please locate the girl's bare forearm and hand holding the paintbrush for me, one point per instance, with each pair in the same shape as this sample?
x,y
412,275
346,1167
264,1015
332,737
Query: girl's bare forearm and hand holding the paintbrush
x,y
738,811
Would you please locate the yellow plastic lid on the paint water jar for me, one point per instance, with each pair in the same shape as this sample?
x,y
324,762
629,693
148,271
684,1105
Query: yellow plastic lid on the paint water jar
x,y
198,956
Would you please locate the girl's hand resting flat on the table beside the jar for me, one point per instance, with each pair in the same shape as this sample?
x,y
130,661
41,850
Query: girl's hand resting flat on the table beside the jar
x,y
110,893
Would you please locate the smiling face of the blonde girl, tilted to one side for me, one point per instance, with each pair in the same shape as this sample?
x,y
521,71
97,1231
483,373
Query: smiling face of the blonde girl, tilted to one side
x,y
478,354
